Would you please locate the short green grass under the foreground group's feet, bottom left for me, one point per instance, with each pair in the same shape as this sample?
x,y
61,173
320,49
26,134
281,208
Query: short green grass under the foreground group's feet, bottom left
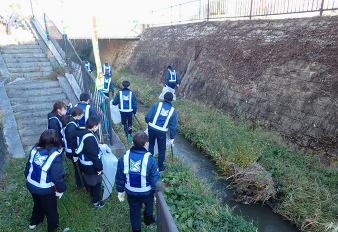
x,y
16,205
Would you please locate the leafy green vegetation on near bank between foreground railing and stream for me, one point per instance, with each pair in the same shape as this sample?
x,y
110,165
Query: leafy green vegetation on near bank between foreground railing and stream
x,y
193,205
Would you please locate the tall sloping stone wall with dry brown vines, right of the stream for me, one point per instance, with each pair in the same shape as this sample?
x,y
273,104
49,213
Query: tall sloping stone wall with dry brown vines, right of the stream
x,y
283,73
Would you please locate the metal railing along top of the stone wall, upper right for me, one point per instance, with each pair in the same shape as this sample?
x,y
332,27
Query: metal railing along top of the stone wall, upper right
x,y
201,10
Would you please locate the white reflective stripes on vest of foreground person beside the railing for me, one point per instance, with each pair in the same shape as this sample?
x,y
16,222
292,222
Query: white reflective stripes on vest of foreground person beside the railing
x,y
144,187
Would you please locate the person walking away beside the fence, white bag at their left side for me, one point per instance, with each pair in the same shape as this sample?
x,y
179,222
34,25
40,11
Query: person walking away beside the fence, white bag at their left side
x,y
127,102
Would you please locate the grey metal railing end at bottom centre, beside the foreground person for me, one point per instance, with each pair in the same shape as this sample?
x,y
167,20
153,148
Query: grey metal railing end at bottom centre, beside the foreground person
x,y
165,222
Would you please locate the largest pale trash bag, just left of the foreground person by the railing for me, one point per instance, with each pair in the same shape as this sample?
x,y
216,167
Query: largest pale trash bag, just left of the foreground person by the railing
x,y
109,162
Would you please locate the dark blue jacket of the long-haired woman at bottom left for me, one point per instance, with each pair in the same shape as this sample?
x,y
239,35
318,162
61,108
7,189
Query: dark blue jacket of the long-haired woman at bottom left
x,y
55,173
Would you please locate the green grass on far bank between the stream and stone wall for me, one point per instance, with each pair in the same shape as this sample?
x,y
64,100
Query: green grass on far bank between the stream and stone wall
x,y
306,191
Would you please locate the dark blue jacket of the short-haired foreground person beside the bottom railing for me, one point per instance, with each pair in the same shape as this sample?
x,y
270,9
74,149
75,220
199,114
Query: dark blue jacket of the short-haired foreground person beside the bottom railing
x,y
152,173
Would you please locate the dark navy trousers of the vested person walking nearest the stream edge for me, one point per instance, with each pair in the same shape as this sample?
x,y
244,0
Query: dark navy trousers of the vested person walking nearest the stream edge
x,y
161,144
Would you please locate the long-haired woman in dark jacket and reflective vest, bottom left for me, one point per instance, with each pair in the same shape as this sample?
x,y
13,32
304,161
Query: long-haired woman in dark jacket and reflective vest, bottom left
x,y
44,179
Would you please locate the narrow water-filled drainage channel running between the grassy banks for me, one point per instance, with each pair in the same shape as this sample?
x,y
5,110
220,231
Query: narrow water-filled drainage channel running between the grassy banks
x,y
262,215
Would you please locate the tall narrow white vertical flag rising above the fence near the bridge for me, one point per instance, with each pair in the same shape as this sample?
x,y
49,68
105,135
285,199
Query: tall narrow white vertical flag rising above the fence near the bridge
x,y
95,40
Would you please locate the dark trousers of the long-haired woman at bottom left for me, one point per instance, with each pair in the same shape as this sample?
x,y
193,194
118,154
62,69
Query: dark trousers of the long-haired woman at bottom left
x,y
45,205
